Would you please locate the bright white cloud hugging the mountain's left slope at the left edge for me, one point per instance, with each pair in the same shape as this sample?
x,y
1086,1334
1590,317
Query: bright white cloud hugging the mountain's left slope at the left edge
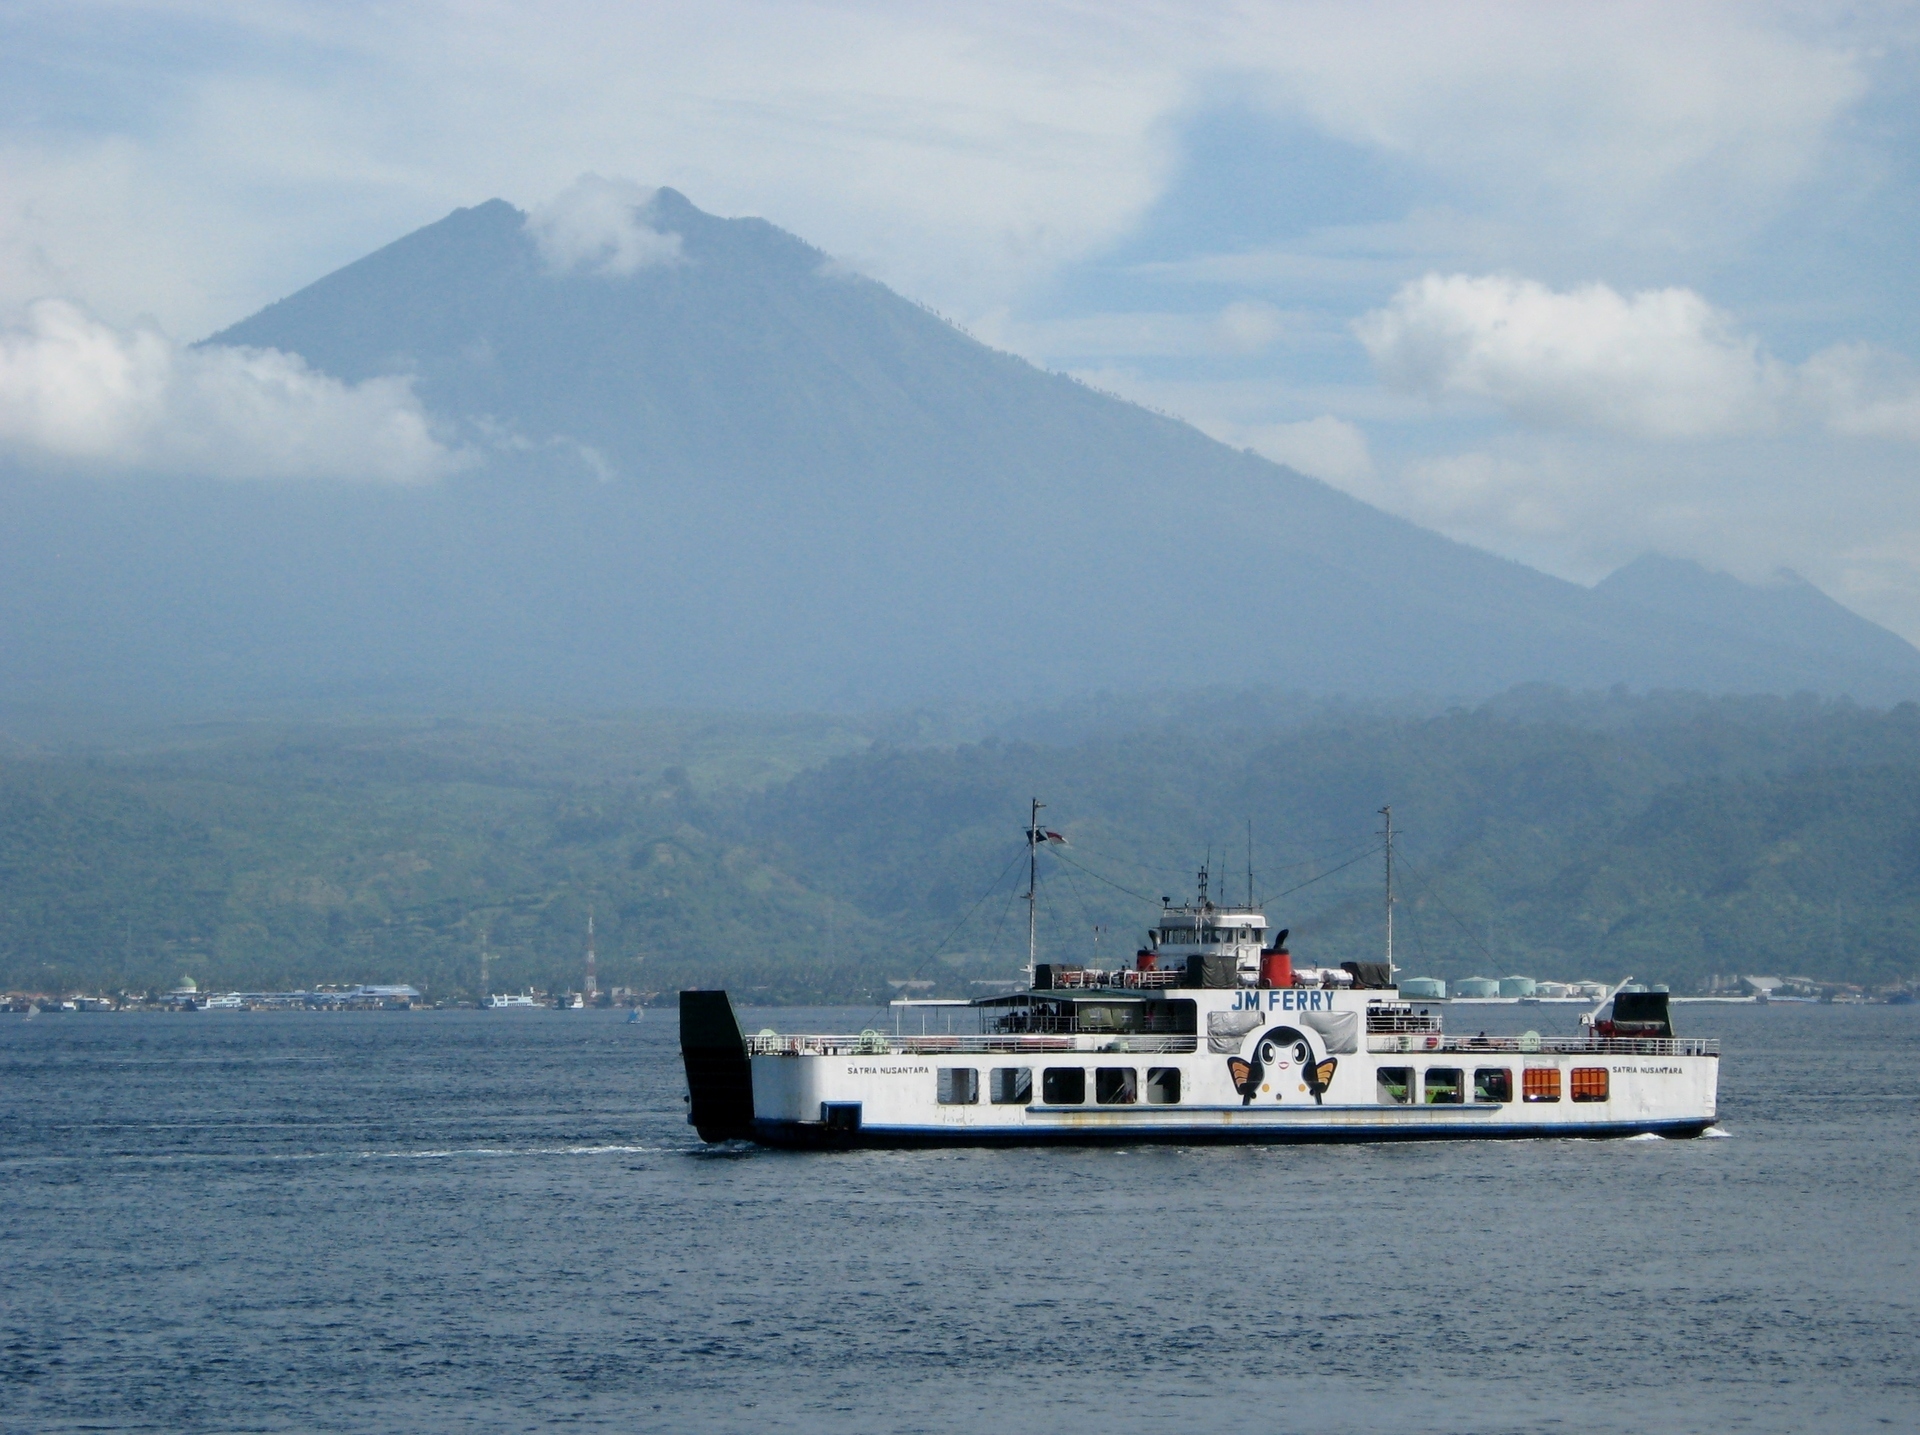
x,y
82,395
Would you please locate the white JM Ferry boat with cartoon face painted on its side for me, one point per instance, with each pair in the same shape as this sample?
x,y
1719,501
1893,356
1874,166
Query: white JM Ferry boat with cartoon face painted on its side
x,y
1211,1036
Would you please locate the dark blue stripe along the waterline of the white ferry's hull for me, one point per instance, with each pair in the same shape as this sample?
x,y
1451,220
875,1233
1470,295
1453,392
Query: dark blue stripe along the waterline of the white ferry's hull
x,y
811,1136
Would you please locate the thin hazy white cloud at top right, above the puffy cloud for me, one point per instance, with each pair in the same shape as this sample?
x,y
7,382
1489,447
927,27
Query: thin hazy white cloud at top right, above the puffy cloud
x,y
1589,128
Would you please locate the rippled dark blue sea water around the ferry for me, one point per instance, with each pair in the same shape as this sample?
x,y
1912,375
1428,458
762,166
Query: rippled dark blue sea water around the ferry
x,y
500,1223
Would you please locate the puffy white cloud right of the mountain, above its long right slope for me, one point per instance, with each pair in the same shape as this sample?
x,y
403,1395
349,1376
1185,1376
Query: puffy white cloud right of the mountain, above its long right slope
x,y
1660,364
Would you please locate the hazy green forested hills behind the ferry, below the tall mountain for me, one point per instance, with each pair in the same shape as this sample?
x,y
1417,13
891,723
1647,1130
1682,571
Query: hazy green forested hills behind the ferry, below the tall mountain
x,y
809,858
